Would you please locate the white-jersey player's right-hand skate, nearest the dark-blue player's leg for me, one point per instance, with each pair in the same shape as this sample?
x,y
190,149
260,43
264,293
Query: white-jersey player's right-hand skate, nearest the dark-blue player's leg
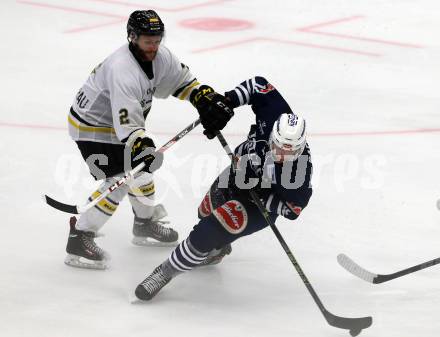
x,y
152,232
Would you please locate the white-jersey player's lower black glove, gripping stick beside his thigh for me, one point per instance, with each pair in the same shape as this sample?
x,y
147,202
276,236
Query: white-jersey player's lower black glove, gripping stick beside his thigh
x,y
144,150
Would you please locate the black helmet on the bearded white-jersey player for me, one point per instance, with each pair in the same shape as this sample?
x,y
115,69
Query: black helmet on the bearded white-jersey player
x,y
145,22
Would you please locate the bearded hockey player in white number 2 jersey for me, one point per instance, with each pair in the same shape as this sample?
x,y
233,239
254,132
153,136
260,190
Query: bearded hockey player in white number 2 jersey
x,y
107,122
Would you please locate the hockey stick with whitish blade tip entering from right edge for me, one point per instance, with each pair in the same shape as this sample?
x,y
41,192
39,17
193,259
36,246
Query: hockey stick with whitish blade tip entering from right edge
x,y
370,277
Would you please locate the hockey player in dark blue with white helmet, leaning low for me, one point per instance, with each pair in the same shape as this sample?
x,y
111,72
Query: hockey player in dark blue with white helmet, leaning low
x,y
274,161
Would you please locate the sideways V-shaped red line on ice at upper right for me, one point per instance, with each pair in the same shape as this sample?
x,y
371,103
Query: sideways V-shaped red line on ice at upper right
x,y
313,30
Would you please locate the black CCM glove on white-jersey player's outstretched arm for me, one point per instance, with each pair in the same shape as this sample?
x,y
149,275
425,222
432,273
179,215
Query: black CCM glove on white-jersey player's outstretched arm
x,y
213,110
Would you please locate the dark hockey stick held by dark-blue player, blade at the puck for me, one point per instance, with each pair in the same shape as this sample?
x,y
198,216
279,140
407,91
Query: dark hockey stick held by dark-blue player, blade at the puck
x,y
354,325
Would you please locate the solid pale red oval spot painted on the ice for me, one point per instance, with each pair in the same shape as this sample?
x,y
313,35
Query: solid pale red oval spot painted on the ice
x,y
216,24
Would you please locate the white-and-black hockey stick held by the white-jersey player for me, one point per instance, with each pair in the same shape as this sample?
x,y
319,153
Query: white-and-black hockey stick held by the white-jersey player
x,y
75,209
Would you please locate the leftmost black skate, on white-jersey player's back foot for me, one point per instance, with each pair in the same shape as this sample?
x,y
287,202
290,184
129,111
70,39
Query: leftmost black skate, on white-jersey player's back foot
x,y
82,251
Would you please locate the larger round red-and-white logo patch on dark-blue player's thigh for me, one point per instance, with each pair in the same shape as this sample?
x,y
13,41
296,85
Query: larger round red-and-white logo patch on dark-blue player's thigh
x,y
233,216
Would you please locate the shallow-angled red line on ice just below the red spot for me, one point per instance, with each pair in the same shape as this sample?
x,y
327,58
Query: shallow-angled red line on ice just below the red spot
x,y
302,44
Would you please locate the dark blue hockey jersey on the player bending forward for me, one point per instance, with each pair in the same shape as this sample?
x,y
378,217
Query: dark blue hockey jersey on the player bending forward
x,y
285,188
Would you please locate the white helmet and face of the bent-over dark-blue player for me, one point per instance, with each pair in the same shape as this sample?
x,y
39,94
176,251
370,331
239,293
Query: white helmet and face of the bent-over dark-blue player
x,y
288,138
